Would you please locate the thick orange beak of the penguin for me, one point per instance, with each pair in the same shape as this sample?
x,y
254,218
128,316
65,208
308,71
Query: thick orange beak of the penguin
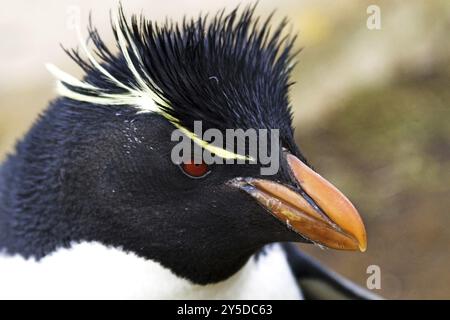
x,y
319,211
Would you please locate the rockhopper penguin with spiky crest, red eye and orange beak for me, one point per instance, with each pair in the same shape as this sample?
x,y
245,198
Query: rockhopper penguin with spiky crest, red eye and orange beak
x,y
93,207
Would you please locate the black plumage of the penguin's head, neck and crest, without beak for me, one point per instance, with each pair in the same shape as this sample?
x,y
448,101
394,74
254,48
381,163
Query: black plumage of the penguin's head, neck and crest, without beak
x,y
88,172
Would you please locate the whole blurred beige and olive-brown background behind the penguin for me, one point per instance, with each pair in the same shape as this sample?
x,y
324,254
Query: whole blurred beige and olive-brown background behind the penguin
x,y
371,110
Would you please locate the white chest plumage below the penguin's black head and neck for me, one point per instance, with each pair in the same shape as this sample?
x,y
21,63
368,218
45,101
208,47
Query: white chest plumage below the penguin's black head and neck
x,y
94,271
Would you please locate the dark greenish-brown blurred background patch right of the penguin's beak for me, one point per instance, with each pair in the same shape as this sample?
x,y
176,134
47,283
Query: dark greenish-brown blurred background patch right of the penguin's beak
x,y
389,148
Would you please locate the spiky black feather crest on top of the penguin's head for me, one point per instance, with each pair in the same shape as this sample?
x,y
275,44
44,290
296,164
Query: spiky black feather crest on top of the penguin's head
x,y
230,71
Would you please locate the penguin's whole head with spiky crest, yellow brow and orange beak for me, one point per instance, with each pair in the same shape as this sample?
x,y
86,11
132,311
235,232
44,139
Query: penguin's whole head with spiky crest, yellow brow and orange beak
x,y
118,183
